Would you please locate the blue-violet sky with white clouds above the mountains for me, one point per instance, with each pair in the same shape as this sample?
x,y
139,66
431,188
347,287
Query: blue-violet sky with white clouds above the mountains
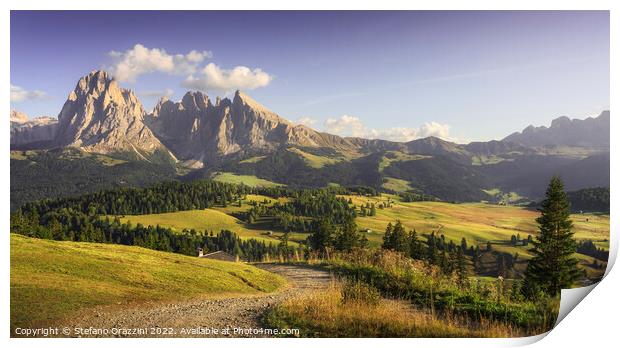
x,y
472,75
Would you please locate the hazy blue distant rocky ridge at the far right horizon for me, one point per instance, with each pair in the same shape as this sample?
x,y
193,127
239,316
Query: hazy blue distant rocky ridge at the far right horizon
x,y
591,132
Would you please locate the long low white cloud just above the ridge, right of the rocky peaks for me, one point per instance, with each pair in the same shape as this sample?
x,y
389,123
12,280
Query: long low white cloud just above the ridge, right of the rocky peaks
x,y
352,126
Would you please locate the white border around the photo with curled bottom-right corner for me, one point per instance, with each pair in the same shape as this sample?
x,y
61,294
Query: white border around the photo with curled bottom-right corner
x,y
592,322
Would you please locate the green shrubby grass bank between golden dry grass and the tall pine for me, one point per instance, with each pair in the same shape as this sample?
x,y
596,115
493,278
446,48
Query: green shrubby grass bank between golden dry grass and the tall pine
x,y
478,304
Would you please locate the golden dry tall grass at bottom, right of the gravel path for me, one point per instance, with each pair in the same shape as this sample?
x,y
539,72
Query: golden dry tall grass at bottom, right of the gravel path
x,y
354,309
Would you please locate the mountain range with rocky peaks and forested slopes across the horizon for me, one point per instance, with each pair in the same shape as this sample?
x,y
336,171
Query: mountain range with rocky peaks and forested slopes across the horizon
x,y
200,137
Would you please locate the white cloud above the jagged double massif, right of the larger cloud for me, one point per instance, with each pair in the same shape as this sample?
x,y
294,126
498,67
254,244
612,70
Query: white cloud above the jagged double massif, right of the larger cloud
x,y
213,77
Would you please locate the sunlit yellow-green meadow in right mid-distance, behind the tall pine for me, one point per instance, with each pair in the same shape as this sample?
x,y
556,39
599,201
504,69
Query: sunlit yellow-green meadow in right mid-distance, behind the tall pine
x,y
477,222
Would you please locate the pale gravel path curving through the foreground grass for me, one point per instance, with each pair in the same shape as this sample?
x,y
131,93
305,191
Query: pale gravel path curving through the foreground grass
x,y
201,318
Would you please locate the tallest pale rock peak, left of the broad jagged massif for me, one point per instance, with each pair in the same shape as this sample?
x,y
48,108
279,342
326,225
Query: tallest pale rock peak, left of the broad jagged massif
x,y
100,117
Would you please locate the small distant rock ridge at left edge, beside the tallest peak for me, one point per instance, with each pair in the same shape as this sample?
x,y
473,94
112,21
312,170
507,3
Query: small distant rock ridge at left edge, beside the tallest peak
x,y
26,131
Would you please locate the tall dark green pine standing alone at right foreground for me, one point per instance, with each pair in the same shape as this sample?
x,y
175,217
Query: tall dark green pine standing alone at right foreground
x,y
553,266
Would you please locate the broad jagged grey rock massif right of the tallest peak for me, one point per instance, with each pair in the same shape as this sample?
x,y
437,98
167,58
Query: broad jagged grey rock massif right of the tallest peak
x,y
195,128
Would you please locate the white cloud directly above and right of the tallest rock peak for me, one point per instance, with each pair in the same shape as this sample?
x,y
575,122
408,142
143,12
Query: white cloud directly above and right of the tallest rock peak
x,y
139,60
